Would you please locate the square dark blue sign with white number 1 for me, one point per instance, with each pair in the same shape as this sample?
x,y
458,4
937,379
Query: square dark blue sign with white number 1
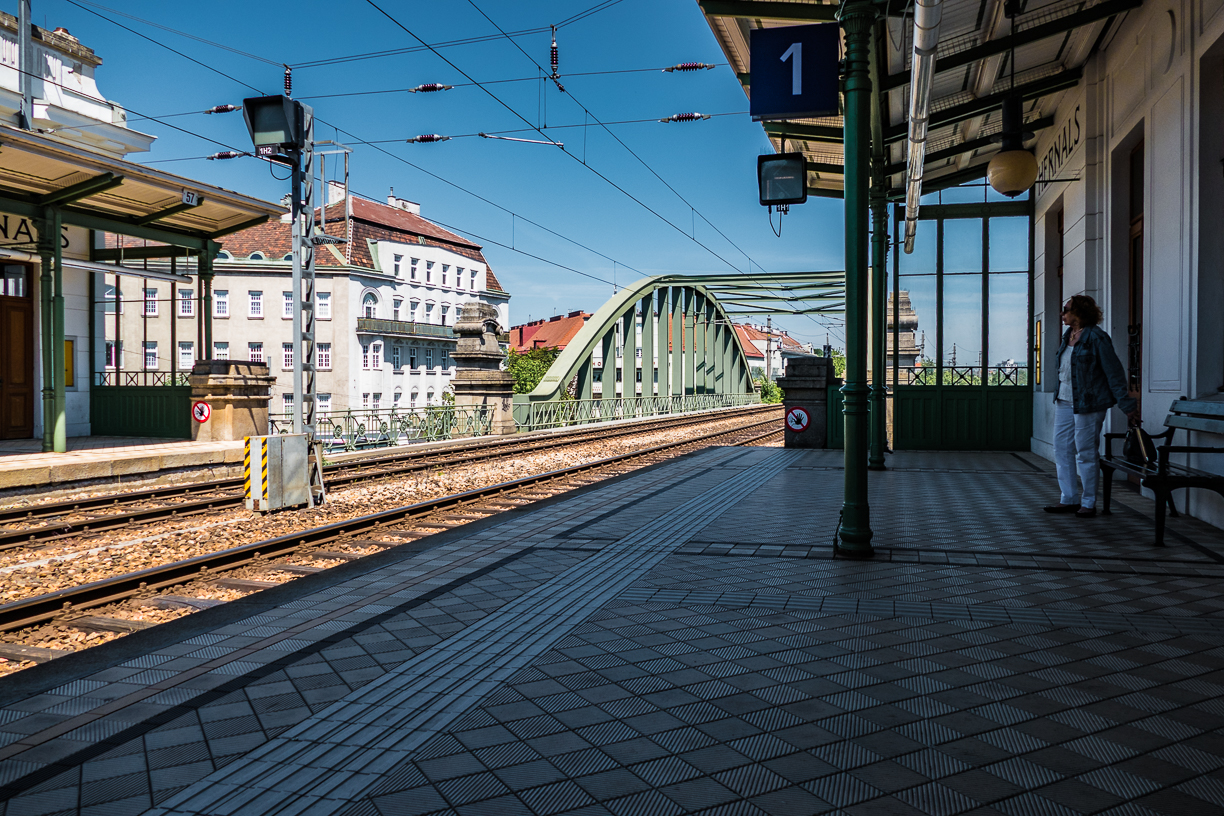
x,y
795,72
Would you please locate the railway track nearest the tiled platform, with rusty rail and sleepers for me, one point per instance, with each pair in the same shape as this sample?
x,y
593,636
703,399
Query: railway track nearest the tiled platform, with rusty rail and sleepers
x,y
329,543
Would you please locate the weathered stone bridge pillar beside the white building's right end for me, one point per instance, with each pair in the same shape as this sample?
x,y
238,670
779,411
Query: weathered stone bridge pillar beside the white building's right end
x,y
479,379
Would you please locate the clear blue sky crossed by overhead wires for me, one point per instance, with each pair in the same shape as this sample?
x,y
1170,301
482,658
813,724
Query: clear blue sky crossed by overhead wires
x,y
712,165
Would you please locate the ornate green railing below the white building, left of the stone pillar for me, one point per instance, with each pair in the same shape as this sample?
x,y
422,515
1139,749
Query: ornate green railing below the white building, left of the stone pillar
x,y
391,428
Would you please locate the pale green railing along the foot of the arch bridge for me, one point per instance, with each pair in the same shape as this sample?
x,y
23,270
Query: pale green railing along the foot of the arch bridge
x,y
535,417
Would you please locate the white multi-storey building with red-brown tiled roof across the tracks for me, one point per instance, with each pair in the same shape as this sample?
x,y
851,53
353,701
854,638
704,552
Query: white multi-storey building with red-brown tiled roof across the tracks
x,y
386,303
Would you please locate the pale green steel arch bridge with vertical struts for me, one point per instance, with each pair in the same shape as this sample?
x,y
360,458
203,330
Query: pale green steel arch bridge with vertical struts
x,y
679,333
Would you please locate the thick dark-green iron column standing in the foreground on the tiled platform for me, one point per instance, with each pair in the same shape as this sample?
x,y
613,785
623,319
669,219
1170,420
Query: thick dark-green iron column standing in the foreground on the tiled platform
x,y
857,19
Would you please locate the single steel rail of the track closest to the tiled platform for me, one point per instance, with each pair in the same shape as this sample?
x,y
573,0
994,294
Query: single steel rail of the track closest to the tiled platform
x,y
40,610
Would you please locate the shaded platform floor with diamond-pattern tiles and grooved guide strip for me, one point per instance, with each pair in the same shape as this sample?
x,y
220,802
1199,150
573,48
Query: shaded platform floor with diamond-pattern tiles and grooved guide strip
x,y
679,640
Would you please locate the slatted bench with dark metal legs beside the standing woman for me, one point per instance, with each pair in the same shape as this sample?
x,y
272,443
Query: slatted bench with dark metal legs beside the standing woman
x,y
1163,478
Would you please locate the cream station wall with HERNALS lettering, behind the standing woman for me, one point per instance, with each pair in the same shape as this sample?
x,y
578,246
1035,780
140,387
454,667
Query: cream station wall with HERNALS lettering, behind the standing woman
x,y
1129,209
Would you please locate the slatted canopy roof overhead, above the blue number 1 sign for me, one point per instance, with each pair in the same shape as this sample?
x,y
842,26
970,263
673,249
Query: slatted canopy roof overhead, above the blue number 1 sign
x,y
1053,41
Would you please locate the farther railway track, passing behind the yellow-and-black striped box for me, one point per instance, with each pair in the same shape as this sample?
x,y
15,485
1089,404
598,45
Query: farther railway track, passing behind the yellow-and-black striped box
x,y
47,523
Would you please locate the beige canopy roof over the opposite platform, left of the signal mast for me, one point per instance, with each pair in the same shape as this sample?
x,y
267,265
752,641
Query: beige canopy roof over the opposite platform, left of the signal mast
x,y
111,195
